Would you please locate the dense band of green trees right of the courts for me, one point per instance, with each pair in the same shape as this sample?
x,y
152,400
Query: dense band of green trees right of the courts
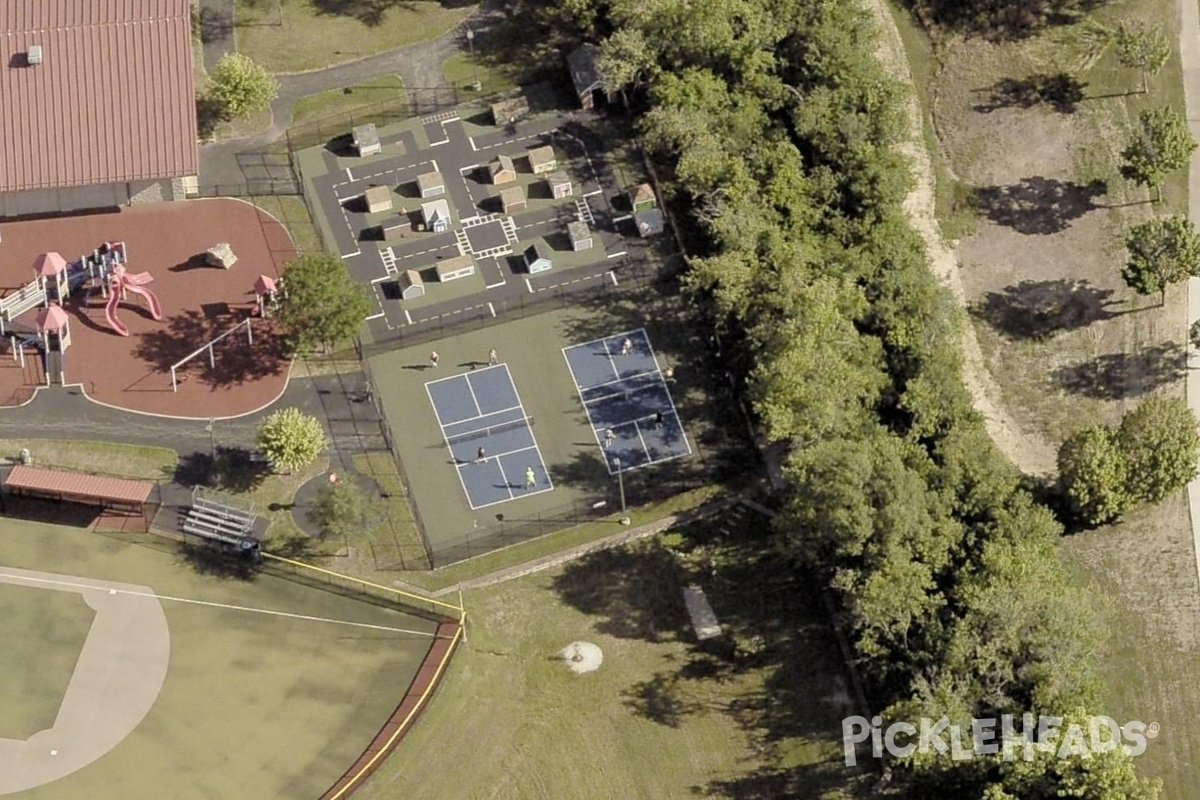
x,y
777,129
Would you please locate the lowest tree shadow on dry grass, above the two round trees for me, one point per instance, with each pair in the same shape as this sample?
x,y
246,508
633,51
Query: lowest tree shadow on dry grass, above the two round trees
x,y
1118,376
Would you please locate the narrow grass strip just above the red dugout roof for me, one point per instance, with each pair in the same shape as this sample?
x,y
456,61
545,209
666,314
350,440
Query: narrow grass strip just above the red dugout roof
x,y
100,458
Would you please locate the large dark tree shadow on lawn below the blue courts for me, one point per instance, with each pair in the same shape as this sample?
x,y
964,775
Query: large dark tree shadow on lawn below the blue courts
x,y
775,672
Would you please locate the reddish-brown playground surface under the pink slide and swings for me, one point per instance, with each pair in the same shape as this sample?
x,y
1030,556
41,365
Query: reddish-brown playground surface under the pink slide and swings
x,y
196,302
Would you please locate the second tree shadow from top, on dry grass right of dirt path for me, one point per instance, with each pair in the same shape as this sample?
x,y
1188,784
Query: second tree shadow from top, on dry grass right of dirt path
x,y
1039,207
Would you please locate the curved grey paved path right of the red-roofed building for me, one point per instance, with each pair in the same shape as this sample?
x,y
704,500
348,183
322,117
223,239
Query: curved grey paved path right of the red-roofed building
x,y
418,65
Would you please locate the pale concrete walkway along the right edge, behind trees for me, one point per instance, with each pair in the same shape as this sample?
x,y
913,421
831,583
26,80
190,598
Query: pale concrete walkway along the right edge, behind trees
x,y
1190,56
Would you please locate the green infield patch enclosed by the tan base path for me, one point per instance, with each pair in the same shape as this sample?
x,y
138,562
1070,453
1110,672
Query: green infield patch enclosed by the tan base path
x,y
51,628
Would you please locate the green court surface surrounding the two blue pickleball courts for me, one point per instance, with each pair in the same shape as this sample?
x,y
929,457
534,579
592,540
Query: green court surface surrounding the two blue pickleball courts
x,y
533,351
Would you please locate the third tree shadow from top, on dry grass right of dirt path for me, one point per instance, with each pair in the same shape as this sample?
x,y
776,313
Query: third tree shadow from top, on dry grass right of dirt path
x,y
1039,310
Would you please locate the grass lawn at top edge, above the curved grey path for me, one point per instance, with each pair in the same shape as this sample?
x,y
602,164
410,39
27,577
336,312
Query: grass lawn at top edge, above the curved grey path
x,y
319,33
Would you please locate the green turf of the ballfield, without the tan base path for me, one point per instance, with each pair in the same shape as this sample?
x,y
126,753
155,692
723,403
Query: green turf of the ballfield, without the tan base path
x,y
273,689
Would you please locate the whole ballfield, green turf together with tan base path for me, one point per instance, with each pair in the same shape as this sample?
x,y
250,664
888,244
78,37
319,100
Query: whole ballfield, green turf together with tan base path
x,y
165,675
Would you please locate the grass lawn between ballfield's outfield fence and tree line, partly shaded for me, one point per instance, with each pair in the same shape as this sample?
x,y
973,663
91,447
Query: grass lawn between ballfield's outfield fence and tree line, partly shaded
x,y
663,717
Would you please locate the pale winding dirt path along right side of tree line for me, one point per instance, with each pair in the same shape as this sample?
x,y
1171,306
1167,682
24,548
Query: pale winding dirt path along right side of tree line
x,y
1033,455
